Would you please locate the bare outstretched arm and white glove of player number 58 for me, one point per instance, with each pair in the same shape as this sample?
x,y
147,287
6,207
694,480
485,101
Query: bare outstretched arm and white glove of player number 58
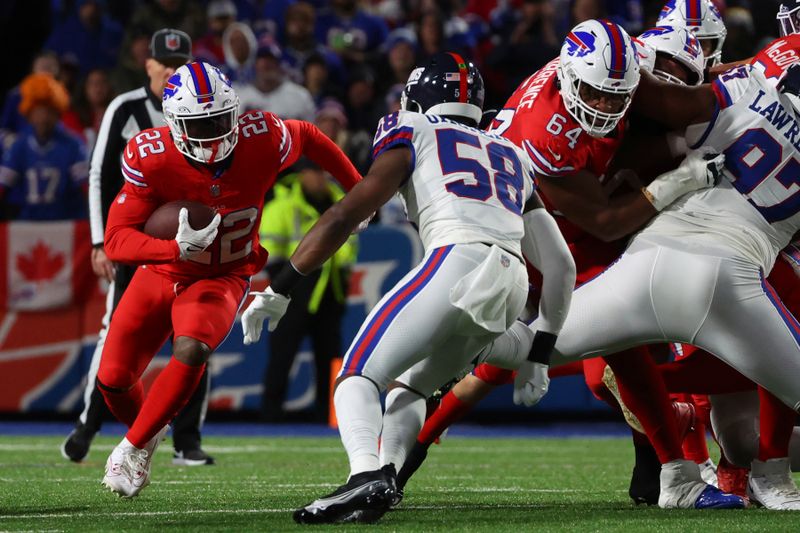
x,y
330,232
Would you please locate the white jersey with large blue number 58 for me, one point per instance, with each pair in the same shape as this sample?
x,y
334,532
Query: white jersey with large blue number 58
x,y
466,185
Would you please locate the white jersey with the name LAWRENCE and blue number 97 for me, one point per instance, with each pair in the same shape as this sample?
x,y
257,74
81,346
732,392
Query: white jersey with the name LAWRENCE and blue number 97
x,y
755,211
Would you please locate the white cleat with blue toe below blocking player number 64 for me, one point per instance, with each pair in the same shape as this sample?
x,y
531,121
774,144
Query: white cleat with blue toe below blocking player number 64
x,y
682,487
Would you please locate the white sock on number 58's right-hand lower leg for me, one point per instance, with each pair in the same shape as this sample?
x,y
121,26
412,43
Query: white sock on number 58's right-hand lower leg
x,y
405,414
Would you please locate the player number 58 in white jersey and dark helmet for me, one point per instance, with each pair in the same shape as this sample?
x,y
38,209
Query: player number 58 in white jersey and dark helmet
x,y
467,191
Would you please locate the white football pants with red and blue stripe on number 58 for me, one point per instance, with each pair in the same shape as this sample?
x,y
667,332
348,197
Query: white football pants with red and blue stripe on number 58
x,y
416,329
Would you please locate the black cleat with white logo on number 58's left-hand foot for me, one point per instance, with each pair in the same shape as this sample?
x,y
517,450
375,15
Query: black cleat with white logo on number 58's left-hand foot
x,y
365,497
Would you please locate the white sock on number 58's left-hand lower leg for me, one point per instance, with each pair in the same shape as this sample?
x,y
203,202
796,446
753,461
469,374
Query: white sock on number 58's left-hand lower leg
x,y
358,411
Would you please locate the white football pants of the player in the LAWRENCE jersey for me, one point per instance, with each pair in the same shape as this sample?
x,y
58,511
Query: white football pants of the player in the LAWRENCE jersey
x,y
656,293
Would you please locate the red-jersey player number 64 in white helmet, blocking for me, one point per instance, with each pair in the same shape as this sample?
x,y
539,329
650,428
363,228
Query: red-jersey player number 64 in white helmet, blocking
x,y
569,117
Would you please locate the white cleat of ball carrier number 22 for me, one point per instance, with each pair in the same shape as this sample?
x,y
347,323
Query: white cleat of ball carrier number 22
x,y
128,467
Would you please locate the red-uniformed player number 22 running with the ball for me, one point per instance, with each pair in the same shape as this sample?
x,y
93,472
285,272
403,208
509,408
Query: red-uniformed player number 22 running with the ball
x,y
192,286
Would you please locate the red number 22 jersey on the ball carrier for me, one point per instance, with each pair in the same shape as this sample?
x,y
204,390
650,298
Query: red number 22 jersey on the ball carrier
x,y
156,172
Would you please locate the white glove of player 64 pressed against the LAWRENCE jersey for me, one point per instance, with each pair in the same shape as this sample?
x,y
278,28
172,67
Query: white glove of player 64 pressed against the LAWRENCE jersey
x,y
696,171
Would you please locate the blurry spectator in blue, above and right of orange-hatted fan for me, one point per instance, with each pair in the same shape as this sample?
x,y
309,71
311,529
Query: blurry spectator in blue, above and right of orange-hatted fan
x,y
88,37
